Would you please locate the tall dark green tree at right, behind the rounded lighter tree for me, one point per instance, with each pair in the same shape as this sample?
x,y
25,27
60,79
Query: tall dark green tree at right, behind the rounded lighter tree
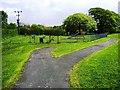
x,y
107,21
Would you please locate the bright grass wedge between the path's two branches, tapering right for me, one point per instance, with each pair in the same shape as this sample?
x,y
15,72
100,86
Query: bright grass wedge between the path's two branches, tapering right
x,y
64,48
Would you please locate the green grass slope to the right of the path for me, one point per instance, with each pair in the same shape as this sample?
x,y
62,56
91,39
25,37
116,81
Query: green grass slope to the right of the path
x,y
99,70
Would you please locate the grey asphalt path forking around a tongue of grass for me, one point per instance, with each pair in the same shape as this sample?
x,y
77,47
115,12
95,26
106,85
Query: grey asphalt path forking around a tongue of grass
x,y
44,71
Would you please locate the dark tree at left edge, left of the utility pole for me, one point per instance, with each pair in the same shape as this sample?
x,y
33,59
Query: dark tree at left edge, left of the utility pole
x,y
3,16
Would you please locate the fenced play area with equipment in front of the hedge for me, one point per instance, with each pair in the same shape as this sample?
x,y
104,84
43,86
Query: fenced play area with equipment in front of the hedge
x,y
62,39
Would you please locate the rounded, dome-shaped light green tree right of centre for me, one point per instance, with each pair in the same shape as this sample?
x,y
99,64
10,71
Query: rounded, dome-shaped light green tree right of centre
x,y
74,23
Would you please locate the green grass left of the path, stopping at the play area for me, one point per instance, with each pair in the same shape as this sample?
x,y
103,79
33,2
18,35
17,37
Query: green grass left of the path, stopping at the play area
x,y
15,55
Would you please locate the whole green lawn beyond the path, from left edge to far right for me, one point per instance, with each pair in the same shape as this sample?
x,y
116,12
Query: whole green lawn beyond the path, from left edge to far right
x,y
16,51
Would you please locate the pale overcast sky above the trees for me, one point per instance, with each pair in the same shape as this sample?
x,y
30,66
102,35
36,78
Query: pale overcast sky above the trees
x,y
51,12
